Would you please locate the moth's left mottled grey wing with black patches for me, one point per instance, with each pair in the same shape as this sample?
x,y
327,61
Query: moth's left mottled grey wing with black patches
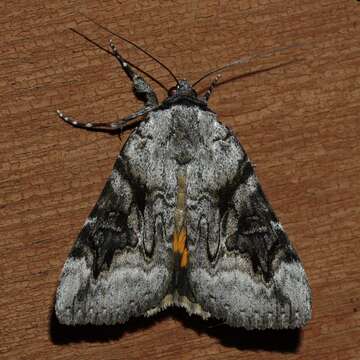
x,y
116,269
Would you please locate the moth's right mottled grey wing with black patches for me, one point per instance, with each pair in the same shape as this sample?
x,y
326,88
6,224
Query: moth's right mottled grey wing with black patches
x,y
242,268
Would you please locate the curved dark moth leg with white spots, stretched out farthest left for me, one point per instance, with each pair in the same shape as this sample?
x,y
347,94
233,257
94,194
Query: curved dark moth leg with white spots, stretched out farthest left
x,y
120,124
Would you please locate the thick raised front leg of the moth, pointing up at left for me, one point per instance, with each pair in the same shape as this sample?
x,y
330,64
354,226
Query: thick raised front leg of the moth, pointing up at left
x,y
141,88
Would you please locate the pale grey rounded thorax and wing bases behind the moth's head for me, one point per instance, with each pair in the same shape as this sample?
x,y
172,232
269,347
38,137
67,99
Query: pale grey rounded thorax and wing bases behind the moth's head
x,y
183,137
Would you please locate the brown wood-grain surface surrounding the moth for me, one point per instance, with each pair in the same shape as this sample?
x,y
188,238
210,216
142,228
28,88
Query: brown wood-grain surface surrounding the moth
x,y
299,124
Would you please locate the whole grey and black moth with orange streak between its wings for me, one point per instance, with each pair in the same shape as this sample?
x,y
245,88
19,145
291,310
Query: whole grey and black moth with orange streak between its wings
x,y
182,220
